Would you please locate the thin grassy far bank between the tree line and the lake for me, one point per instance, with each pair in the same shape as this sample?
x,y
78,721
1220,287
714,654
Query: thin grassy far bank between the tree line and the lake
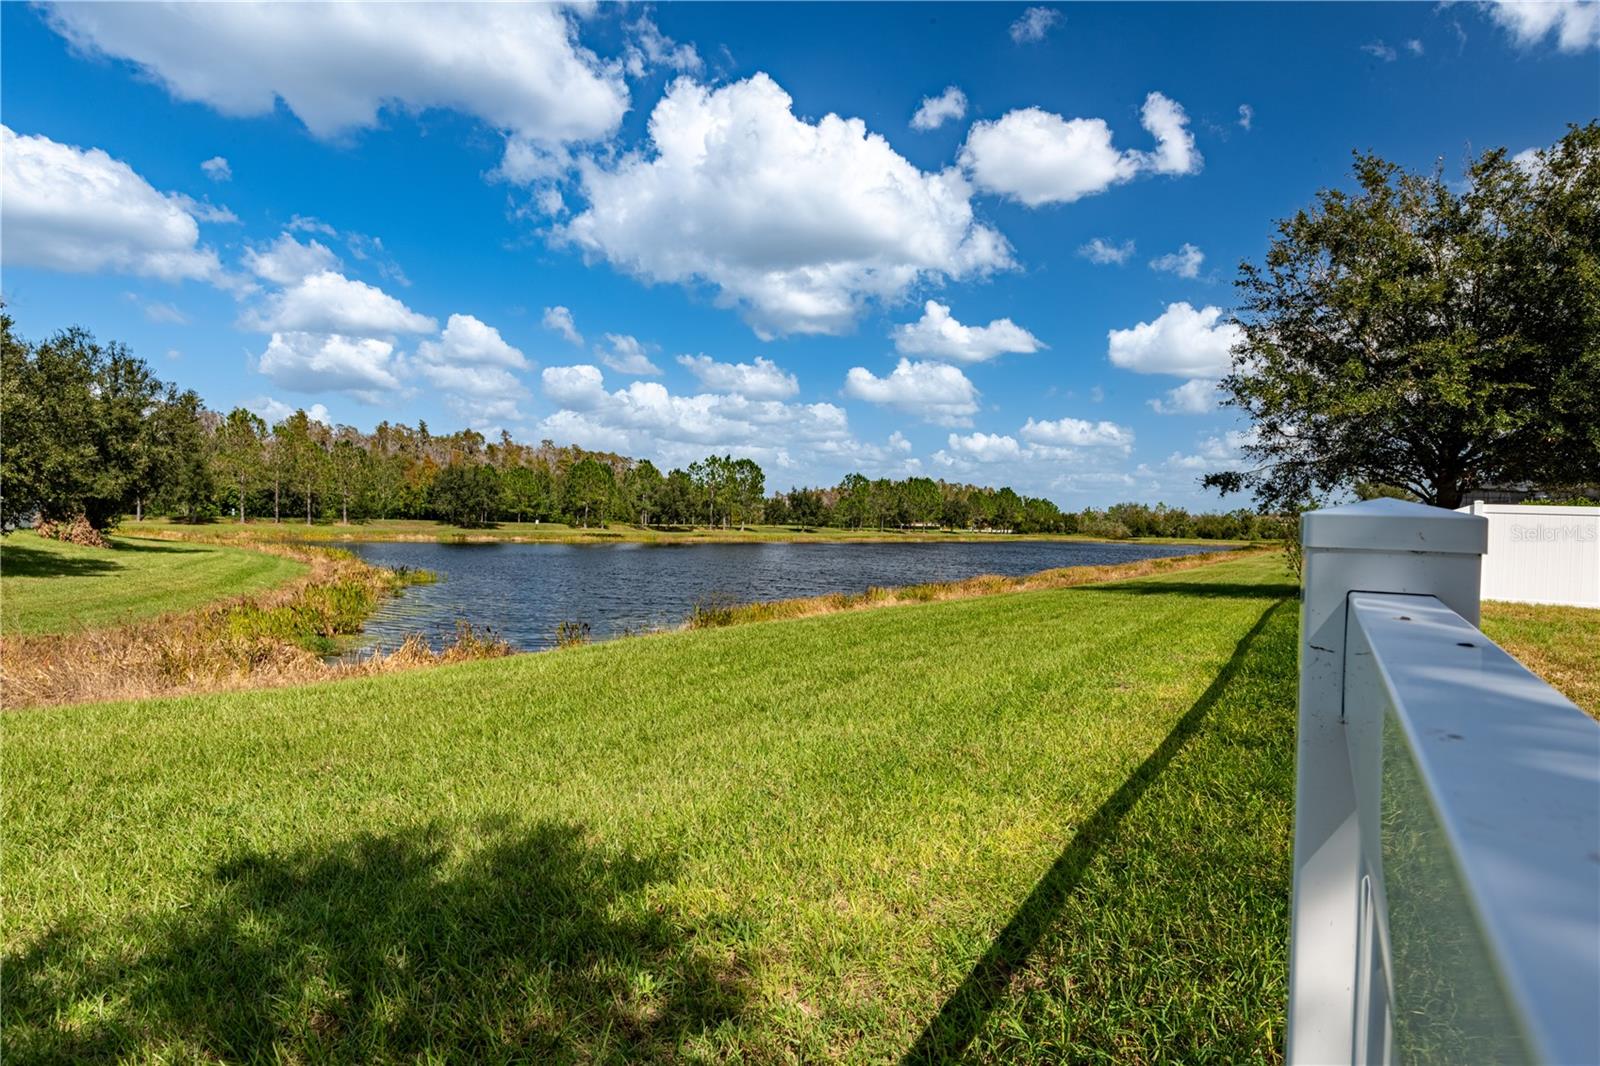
x,y
559,534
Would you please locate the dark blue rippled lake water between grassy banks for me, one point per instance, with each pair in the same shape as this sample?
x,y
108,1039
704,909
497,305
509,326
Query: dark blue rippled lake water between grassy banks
x,y
526,591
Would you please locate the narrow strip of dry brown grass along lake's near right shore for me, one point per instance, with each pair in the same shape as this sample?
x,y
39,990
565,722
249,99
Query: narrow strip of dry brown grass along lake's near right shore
x,y
719,614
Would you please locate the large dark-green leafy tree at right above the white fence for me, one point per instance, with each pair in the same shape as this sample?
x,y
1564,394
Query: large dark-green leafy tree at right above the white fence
x,y
1428,335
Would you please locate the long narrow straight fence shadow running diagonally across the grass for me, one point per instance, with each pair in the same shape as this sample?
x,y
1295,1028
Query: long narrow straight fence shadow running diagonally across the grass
x,y
948,1036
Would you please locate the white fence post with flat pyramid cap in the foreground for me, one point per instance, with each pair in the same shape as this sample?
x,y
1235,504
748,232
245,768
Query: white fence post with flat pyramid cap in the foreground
x,y
1374,547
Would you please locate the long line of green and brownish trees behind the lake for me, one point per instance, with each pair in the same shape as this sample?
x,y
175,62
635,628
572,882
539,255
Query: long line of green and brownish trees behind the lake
x,y
94,435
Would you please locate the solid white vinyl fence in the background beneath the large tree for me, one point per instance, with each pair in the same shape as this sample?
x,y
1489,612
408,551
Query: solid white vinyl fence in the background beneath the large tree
x,y
1542,555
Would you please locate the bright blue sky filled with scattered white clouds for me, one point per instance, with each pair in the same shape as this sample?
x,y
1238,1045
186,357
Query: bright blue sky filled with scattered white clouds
x,y
756,246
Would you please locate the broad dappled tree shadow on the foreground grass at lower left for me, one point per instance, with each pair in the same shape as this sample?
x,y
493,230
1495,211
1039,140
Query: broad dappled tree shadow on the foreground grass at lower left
x,y
534,947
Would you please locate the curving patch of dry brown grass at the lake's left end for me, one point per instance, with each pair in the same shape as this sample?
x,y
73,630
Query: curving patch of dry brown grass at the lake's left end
x,y
274,638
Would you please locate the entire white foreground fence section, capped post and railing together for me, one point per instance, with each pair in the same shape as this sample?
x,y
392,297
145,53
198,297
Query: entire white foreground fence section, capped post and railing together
x,y
1447,825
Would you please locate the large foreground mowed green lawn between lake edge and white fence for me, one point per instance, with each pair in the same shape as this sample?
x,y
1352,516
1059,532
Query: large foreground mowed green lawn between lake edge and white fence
x,y
1033,827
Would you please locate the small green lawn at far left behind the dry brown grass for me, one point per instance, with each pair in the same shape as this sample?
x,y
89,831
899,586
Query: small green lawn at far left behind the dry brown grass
x,y
49,587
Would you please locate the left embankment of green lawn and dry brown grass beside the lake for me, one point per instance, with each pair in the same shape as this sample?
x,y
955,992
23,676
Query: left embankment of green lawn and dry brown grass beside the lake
x,y
150,619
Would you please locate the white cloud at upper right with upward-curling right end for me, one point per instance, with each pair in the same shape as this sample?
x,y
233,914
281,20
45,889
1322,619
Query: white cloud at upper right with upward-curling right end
x,y
1039,158
